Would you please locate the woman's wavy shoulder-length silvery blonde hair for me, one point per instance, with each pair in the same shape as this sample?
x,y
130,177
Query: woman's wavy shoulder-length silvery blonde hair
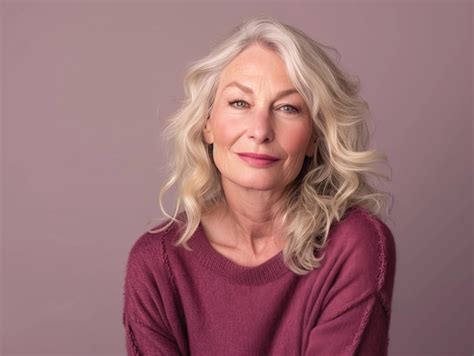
x,y
333,180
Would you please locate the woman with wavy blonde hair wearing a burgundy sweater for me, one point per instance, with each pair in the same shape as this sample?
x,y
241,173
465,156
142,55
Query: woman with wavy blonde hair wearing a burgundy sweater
x,y
278,249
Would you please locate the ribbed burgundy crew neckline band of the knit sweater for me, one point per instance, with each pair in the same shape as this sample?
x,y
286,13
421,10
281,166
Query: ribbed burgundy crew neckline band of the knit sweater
x,y
265,272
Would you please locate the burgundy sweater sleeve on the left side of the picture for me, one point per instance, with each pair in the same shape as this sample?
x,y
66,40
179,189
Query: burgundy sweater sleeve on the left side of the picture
x,y
147,329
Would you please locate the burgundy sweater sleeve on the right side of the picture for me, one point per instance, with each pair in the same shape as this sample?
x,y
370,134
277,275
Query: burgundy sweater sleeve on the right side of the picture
x,y
355,315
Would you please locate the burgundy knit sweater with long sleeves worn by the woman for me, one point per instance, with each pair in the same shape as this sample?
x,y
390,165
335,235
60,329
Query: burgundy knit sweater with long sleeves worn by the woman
x,y
199,302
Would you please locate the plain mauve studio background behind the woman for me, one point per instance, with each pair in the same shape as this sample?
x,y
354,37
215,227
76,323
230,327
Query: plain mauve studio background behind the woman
x,y
85,89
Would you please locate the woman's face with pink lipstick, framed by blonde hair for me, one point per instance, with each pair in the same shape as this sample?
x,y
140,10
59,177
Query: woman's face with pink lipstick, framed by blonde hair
x,y
257,110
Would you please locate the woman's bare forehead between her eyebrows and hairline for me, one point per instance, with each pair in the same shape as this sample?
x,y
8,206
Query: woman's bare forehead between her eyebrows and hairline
x,y
256,63
